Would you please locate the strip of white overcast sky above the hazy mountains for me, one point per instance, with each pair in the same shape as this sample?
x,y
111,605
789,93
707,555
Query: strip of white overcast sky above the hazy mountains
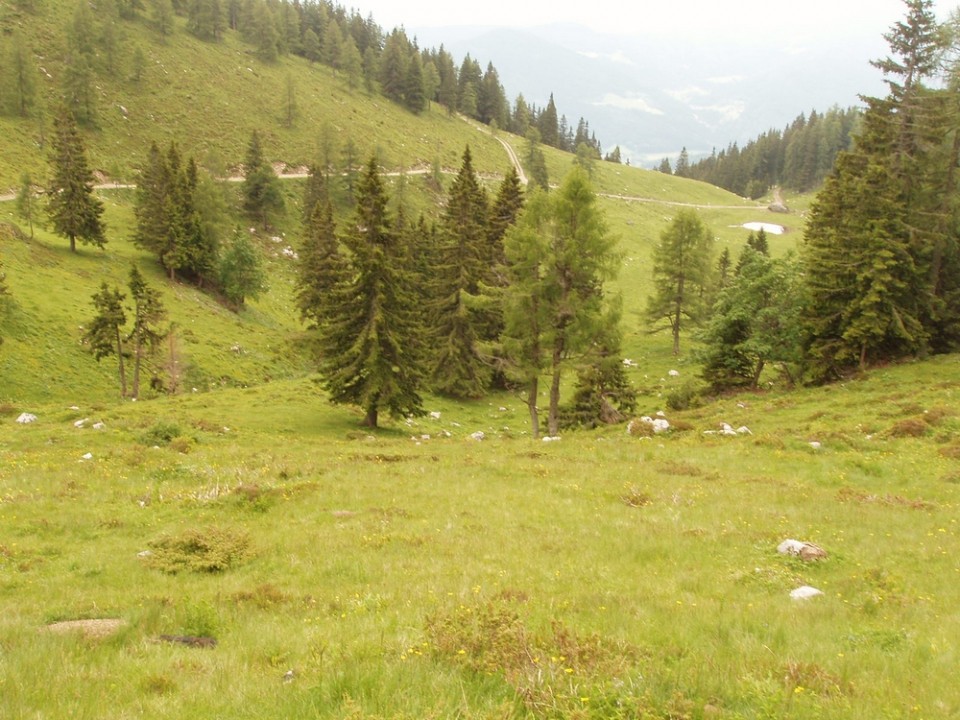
x,y
683,18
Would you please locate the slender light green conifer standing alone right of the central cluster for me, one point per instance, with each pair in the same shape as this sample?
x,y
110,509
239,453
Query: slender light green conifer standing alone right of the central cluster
x,y
681,262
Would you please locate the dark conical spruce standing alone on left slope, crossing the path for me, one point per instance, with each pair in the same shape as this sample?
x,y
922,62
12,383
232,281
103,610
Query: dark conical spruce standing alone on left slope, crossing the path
x,y
74,210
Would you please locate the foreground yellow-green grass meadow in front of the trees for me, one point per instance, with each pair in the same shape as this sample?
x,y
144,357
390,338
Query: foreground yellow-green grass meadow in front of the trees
x,y
374,560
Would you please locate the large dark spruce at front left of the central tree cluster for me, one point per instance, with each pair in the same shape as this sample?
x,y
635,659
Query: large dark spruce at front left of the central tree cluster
x,y
371,344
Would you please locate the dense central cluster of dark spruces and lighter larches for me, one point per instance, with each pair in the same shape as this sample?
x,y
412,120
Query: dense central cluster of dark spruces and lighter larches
x,y
401,307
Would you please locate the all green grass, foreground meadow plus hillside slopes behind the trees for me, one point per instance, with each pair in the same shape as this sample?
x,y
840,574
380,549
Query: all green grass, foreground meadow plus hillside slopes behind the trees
x,y
242,549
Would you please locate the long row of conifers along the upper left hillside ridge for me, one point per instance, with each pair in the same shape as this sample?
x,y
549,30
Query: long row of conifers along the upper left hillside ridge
x,y
391,64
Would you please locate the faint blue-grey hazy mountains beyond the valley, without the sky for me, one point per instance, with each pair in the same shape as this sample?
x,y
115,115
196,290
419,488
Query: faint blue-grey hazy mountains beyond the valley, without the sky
x,y
653,95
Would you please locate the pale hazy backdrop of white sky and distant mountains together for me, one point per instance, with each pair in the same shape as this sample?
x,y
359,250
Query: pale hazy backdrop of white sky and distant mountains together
x,y
653,78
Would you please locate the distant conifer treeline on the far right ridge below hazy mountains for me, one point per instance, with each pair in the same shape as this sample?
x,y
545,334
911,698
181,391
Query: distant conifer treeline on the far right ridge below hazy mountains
x,y
799,157
